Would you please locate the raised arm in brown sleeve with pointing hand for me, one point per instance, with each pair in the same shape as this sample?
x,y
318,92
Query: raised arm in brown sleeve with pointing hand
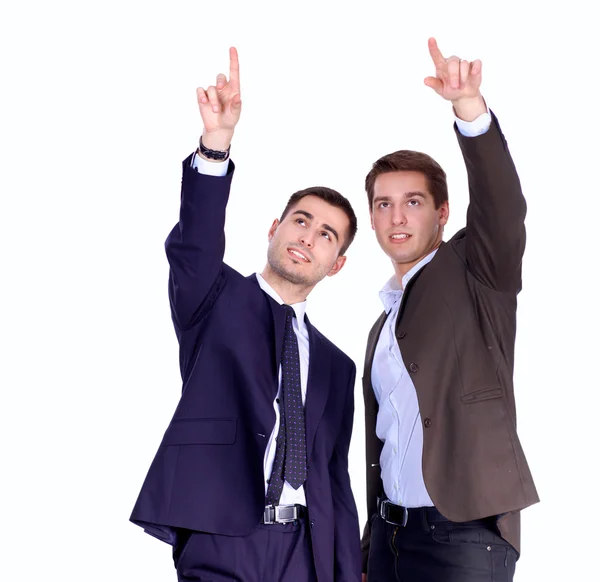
x,y
495,239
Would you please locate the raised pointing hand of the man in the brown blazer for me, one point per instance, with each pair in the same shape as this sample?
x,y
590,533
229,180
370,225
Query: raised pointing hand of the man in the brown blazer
x,y
457,80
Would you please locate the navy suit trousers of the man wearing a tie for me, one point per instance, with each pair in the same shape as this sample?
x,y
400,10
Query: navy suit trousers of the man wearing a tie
x,y
271,553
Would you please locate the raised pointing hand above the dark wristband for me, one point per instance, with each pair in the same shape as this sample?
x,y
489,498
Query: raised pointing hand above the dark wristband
x,y
220,106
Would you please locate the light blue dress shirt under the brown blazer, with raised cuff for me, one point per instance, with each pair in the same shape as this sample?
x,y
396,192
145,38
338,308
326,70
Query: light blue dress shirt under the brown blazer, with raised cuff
x,y
399,424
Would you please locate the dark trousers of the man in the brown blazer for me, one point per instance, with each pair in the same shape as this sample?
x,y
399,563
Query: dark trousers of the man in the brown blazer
x,y
433,549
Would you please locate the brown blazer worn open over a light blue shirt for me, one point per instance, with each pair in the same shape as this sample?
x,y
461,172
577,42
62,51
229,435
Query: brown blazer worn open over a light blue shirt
x,y
456,333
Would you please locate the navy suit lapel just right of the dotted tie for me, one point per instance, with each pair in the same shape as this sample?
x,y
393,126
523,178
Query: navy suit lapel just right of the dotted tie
x,y
317,391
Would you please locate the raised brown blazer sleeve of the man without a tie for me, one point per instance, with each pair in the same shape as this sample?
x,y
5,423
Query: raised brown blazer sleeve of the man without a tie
x,y
495,232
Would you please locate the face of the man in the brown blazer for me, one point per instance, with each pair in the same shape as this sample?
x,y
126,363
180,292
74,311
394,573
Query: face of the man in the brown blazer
x,y
407,224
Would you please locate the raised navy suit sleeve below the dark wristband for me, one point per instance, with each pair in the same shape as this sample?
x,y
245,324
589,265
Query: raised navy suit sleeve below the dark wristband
x,y
196,245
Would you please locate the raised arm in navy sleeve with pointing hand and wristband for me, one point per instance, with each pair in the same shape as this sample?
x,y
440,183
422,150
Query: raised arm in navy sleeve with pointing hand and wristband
x,y
196,245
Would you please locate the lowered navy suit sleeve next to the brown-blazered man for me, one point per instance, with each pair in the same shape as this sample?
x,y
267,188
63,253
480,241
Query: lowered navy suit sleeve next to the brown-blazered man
x,y
347,562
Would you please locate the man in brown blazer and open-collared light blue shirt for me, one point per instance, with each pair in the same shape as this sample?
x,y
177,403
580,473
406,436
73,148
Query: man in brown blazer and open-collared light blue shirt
x,y
446,475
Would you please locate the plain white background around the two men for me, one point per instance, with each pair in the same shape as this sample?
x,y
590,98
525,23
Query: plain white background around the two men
x,y
98,110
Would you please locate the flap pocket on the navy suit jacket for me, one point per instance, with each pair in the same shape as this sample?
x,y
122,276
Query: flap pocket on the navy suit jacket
x,y
201,431
